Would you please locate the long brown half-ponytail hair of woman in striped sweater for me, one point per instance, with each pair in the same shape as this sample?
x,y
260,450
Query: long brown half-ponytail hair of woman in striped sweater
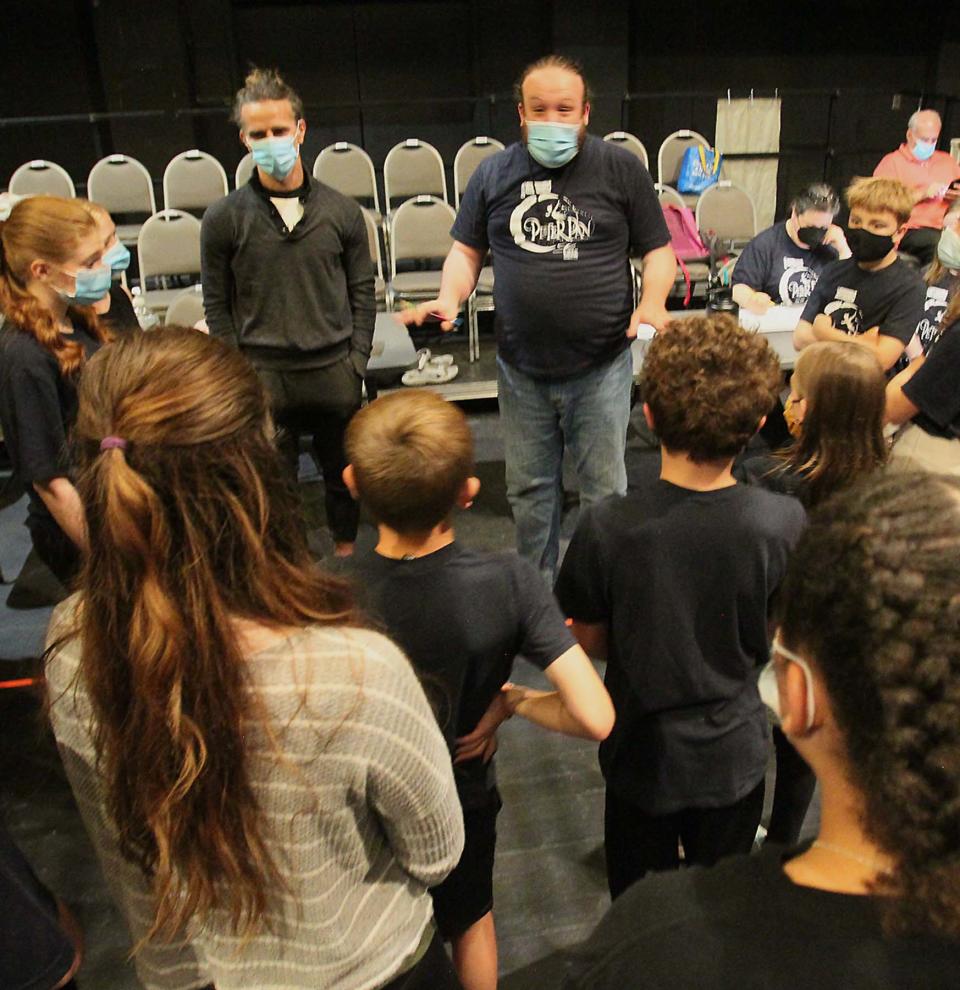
x,y
189,529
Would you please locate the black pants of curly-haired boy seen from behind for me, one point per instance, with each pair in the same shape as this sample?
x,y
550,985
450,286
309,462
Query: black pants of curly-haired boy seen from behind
x,y
637,843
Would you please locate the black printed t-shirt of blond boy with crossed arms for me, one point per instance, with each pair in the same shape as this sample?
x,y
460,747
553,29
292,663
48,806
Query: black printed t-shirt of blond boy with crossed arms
x,y
857,300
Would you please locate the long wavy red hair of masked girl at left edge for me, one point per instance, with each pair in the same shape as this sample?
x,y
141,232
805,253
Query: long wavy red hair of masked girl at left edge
x,y
48,228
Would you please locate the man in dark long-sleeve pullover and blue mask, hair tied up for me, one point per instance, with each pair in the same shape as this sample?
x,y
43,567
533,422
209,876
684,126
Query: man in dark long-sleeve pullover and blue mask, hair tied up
x,y
287,278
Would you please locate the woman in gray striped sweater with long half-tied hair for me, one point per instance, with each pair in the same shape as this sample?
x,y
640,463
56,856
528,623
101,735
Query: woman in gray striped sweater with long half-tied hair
x,y
262,777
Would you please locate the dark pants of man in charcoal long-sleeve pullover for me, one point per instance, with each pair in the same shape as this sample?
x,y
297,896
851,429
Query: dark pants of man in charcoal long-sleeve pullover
x,y
319,402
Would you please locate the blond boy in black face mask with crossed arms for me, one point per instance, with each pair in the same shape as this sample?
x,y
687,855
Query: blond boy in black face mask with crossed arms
x,y
873,297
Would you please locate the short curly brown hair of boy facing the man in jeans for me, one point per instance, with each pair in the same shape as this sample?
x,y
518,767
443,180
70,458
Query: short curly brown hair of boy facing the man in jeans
x,y
708,383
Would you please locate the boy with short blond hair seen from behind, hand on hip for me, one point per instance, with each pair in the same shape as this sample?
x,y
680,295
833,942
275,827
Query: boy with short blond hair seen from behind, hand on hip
x,y
461,616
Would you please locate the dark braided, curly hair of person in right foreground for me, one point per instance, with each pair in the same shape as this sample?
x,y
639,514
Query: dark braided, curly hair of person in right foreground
x,y
872,598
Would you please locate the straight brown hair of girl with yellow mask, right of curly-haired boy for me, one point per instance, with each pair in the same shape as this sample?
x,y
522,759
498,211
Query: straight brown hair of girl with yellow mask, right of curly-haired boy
x,y
841,438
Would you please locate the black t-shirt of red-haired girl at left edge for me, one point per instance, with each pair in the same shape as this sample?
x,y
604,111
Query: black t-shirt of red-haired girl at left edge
x,y
38,406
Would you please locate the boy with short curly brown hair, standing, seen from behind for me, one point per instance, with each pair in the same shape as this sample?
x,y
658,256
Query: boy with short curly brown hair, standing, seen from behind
x,y
671,584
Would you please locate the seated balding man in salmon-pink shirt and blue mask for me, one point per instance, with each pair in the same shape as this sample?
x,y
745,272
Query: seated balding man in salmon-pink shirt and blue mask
x,y
929,173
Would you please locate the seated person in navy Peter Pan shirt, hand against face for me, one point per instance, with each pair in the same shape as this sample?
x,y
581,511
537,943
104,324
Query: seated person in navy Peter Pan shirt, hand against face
x,y
781,265
